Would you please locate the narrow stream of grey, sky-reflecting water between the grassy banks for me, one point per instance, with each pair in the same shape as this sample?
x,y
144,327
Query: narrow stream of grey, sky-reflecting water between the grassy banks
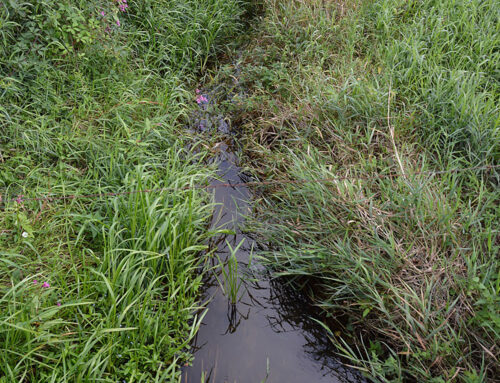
x,y
268,336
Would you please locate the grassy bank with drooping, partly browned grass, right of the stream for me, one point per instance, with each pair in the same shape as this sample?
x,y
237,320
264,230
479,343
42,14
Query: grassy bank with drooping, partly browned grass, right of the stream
x,y
379,92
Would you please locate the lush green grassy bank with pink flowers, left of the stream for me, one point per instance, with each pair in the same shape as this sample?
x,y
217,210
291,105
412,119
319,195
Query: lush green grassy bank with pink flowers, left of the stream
x,y
93,97
